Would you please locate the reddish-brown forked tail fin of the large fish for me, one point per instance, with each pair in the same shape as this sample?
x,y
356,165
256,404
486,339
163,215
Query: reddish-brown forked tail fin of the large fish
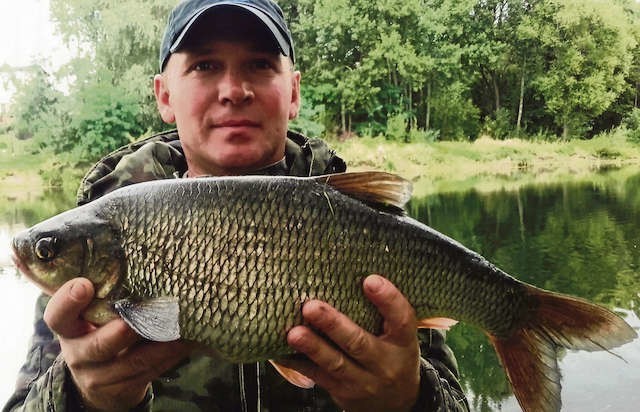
x,y
530,358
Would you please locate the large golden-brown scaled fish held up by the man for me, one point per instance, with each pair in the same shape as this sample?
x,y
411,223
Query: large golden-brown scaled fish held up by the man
x,y
228,262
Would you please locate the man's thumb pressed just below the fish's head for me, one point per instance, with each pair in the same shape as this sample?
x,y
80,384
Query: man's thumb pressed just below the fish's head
x,y
62,314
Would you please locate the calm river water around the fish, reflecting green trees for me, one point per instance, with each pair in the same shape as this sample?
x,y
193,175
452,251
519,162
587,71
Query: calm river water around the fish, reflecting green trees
x,y
576,238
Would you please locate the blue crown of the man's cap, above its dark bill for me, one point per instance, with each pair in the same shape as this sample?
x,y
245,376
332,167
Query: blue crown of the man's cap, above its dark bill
x,y
185,15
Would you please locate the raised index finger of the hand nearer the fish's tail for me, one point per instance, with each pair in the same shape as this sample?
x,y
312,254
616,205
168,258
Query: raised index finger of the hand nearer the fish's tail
x,y
399,317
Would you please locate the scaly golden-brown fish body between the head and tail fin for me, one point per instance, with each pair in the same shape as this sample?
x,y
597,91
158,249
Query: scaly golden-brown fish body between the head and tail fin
x,y
243,255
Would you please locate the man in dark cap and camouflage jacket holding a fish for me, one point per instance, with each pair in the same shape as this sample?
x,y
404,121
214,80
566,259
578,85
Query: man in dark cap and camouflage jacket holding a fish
x,y
227,82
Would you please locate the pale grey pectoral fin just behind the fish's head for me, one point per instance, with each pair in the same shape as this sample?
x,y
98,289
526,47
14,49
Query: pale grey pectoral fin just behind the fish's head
x,y
154,319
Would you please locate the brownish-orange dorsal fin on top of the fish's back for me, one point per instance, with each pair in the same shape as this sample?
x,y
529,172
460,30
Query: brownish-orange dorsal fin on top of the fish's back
x,y
384,191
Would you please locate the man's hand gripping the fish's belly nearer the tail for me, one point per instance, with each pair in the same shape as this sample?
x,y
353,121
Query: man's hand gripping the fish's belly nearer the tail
x,y
369,373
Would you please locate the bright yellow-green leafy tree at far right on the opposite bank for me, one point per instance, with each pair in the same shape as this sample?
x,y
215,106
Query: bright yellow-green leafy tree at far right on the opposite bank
x,y
588,55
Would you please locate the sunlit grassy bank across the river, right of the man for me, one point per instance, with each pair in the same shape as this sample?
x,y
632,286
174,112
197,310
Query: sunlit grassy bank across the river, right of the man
x,y
488,164
